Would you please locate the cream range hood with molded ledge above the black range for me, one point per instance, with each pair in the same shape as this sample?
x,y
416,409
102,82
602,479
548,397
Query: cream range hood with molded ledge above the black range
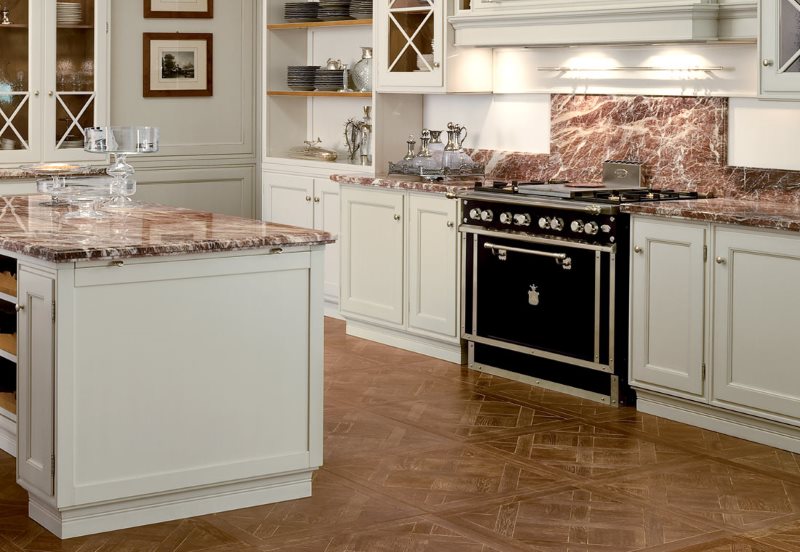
x,y
548,23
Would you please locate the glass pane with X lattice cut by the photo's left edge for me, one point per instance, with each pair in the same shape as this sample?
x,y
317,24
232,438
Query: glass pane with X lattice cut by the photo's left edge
x,y
14,78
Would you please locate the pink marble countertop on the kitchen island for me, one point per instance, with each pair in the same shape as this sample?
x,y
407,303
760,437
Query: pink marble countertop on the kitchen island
x,y
144,231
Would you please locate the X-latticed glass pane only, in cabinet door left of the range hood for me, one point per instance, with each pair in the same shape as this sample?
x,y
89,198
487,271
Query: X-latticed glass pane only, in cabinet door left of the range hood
x,y
411,36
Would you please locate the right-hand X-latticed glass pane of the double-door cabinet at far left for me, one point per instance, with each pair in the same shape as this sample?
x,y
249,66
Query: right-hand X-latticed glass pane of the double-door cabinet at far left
x,y
75,74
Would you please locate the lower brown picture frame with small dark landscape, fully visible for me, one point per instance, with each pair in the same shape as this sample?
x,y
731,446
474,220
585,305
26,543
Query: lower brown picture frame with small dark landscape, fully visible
x,y
178,65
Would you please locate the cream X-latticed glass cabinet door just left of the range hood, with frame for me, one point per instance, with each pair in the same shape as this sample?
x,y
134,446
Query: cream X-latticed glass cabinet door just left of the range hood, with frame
x,y
410,53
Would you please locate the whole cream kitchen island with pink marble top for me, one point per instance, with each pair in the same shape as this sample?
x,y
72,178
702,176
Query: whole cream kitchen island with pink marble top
x,y
169,363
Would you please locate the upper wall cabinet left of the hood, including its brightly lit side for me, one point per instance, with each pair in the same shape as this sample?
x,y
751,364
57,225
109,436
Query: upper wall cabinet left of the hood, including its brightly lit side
x,y
415,51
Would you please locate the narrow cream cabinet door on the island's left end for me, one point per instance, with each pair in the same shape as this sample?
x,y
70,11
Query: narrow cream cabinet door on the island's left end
x,y
36,373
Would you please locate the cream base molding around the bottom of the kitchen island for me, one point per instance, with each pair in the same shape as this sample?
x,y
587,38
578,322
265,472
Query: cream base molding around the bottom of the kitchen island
x,y
111,516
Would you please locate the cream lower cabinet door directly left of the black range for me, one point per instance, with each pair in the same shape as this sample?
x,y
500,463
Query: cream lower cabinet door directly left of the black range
x,y
432,264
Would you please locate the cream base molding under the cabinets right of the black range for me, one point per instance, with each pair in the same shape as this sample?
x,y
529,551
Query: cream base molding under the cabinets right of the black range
x,y
759,430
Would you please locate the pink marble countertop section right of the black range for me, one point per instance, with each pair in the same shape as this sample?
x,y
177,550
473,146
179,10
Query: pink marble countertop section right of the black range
x,y
758,214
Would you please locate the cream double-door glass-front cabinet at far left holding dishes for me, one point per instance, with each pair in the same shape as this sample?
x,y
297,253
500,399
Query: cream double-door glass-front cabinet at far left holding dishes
x,y
53,77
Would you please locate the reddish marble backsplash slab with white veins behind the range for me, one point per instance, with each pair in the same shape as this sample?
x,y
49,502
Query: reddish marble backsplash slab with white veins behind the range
x,y
681,141
